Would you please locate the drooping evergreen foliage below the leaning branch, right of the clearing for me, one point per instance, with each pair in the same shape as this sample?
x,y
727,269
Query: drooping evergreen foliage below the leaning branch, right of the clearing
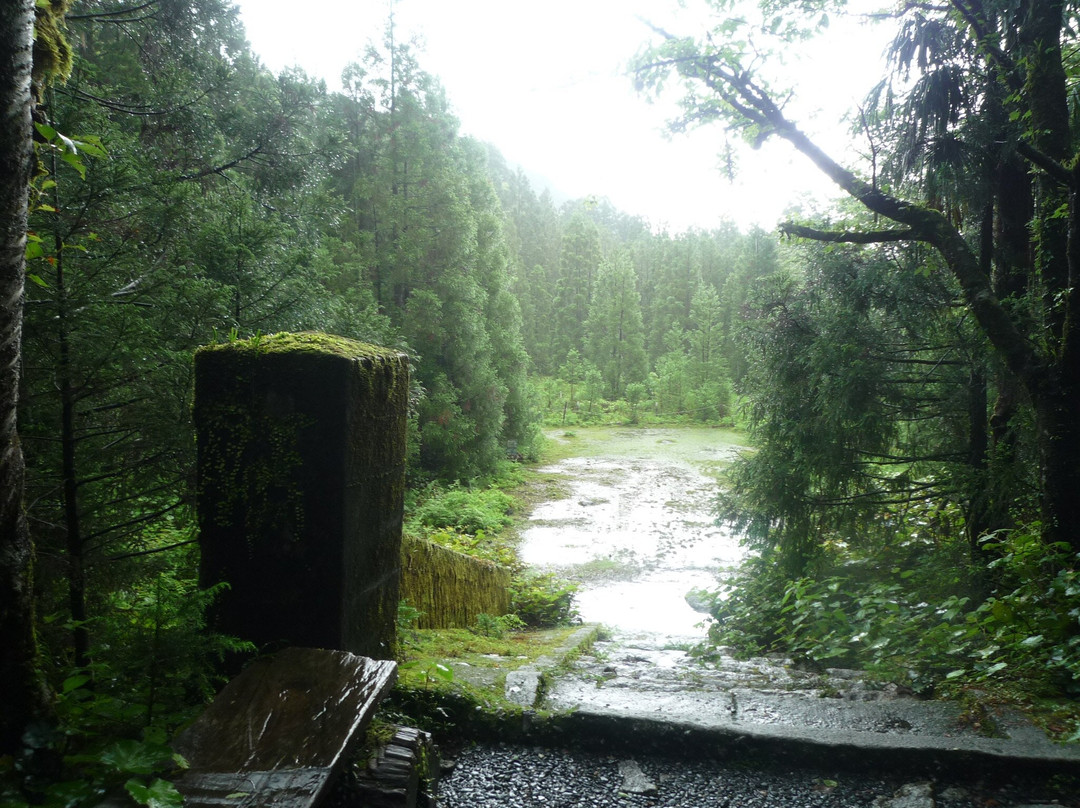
x,y
860,400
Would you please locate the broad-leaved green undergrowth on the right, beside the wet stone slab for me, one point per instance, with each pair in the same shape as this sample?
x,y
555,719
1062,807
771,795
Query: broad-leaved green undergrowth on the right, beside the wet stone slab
x,y
919,613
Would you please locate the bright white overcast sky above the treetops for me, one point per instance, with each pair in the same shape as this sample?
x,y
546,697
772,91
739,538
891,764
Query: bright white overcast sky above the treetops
x,y
545,82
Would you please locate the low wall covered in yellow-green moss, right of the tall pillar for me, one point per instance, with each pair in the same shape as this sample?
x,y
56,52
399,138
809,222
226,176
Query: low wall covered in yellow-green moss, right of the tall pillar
x,y
451,589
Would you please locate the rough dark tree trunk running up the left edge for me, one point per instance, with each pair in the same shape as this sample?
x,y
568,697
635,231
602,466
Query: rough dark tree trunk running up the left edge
x,y
20,683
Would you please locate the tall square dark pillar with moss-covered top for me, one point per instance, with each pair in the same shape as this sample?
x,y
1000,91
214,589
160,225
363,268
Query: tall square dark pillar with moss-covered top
x,y
301,482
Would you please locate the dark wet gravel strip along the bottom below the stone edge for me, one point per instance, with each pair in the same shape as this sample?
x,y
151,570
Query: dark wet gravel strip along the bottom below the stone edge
x,y
508,777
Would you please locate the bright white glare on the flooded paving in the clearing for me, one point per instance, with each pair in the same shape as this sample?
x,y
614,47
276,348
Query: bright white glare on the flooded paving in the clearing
x,y
645,520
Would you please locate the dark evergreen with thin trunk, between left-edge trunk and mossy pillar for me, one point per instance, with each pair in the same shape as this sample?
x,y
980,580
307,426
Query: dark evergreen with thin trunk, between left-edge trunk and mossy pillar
x,y
144,257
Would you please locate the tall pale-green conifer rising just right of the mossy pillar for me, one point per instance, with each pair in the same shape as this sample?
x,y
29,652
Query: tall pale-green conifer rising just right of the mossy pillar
x,y
426,224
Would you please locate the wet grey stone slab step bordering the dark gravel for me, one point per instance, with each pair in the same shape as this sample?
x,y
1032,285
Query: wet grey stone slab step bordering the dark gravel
x,y
633,691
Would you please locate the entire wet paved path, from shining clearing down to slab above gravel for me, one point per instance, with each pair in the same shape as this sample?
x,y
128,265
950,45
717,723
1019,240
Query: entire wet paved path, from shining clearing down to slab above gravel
x,y
637,530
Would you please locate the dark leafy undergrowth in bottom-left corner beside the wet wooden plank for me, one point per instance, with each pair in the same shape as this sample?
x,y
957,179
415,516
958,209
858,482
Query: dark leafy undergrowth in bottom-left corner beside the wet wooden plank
x,y
154,669
